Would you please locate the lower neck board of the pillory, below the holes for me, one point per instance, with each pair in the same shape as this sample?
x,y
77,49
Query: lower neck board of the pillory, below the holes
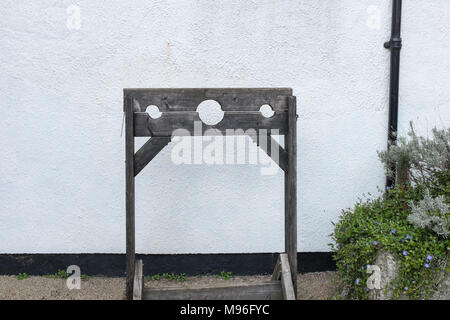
x,y
166,125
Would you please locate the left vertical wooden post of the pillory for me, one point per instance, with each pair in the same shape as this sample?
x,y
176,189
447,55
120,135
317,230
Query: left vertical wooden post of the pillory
x,y
129,171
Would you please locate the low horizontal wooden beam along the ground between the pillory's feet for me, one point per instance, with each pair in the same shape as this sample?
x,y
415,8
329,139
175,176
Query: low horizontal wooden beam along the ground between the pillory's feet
x,y
270,290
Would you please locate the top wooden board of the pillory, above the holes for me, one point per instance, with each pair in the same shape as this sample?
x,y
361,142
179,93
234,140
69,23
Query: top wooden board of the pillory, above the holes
x,y
231,99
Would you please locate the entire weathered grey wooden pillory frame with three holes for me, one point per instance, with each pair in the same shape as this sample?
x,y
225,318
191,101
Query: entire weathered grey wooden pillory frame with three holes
x,y
241,111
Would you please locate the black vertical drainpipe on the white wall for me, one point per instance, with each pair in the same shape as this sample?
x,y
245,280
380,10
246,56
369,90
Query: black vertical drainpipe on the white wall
x,y
395,45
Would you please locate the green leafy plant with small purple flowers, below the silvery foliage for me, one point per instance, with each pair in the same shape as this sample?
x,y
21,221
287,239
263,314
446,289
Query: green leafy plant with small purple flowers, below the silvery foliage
x,y
379,224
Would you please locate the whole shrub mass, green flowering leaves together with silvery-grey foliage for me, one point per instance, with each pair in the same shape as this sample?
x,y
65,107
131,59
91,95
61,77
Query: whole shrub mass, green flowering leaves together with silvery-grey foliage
x,y
409,221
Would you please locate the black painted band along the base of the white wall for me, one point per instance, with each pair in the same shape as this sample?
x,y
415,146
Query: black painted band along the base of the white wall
x,y
113,265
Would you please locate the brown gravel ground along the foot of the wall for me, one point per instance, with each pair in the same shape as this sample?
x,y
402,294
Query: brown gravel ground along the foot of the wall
x,y
316,286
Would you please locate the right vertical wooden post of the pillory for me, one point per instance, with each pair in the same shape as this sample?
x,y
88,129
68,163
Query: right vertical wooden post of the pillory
x,y
290,190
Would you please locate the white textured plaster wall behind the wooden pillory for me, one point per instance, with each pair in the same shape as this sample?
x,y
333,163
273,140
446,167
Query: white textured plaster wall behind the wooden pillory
x,y
62,154
